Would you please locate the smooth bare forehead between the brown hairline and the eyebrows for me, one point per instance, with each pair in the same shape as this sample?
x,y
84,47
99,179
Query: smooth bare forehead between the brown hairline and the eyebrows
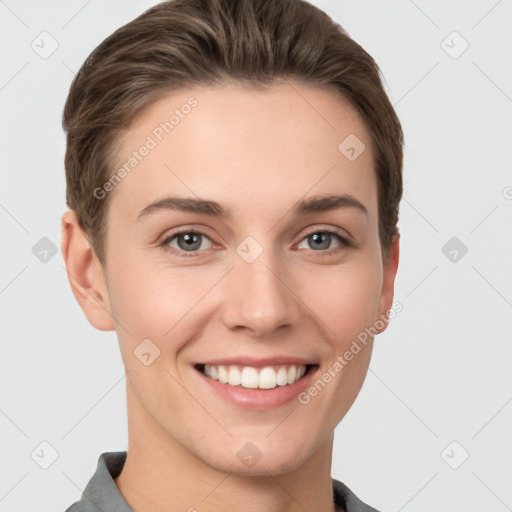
x,y
246,148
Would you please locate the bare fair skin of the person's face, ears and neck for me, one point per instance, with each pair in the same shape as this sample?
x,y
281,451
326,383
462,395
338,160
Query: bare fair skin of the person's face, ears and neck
x,y
257,153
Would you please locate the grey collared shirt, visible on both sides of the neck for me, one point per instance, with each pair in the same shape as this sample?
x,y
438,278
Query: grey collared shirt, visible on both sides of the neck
x,y
102,495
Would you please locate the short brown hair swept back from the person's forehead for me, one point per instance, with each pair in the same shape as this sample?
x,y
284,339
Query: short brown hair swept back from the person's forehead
x,y
182,43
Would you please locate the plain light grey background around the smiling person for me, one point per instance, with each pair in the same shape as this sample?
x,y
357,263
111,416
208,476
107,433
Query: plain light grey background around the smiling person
x,y
440,373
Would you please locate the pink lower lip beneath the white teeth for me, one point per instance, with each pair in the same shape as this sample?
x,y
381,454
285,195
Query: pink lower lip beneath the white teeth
x,y
259,399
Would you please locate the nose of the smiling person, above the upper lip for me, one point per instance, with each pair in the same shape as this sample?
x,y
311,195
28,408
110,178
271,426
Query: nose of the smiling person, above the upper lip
x,y
260,296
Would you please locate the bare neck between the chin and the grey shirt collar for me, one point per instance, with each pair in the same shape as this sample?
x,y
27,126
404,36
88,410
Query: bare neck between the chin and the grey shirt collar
x,y
161,474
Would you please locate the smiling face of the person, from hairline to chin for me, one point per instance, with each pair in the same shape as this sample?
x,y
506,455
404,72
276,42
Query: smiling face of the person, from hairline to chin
x,y
274,282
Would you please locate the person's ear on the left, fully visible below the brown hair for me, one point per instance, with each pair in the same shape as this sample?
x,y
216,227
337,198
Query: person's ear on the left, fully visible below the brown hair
x,y
85,273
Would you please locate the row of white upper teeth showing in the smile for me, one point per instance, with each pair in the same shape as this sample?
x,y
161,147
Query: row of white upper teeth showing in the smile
x,y
249,377
